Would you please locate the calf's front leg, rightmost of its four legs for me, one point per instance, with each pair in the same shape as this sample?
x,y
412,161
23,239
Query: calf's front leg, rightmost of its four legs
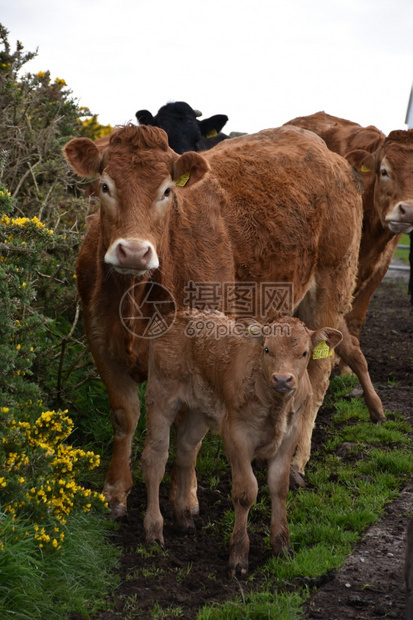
x,y
278,485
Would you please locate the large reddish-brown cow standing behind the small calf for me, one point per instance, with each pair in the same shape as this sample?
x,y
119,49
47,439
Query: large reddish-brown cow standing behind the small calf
x,y
274,207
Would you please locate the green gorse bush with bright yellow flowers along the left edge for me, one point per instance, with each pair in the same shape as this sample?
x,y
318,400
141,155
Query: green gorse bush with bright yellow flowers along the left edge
x,y
40,474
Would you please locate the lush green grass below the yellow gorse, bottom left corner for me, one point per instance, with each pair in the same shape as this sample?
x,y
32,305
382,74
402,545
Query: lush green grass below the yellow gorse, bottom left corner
x,y
35,586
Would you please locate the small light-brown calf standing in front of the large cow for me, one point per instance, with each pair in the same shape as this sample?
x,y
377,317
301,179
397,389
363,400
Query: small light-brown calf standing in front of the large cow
x,y
250,385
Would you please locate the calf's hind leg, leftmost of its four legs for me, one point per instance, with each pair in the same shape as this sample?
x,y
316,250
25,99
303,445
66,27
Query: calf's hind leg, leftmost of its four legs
x,y
159,417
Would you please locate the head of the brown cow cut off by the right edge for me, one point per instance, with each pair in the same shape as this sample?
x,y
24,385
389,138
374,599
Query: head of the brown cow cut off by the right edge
x,y
390,169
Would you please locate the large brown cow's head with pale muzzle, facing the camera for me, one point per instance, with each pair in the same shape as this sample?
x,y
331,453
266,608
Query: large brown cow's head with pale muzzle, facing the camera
x,y
137,173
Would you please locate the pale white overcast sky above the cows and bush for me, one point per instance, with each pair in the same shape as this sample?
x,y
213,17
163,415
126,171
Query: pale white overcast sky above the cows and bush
x,y
261,62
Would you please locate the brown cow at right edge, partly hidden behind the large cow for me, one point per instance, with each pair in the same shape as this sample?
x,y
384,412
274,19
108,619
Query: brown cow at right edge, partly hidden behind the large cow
x,y
386,166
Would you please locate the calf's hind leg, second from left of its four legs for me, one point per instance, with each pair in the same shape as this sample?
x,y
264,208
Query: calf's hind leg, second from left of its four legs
x,y
190,432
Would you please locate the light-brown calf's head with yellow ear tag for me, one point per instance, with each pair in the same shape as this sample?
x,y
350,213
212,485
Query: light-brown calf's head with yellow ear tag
x,y
287,347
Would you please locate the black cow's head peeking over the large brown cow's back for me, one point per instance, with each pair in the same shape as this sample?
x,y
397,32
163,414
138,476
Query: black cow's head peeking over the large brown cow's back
x,y
185,131
